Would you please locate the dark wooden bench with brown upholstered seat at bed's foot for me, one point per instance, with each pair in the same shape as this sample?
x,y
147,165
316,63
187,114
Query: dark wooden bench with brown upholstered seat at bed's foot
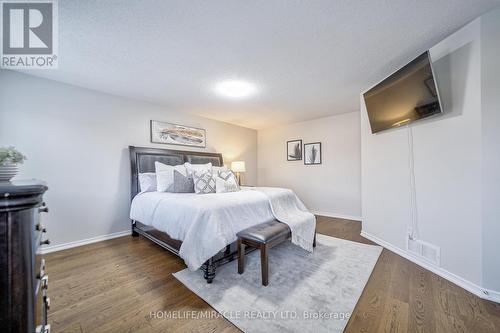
x,y
262,236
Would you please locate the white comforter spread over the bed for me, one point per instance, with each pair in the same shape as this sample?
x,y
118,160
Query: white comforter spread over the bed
x,y
207,223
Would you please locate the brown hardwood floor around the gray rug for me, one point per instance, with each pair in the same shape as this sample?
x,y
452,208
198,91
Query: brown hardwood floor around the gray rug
x,y
114,286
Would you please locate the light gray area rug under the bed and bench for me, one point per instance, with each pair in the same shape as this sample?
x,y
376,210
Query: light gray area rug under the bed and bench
x,y
307,292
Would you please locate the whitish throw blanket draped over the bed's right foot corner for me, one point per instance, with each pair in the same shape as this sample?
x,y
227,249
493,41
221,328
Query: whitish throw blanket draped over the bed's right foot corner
x,y
288,208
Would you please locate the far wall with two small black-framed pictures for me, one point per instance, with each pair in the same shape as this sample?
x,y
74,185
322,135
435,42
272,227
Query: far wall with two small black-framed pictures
x,y
332,188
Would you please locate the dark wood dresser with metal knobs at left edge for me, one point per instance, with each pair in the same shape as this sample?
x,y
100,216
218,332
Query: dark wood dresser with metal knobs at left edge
x,y
23,280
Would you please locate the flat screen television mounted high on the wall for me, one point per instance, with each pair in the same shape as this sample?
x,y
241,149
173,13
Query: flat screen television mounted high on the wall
x,y
408,95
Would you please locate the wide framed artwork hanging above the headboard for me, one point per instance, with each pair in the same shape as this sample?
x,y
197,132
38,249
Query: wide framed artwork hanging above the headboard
x,y
173,134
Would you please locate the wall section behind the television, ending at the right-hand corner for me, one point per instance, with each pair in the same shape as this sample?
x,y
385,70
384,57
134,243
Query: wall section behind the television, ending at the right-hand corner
x,y
447,162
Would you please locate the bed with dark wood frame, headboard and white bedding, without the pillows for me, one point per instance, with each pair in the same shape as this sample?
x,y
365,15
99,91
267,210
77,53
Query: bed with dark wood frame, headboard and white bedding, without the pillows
x,y
201,228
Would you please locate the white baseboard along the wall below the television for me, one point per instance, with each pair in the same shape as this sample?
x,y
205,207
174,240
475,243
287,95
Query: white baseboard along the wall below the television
x,y
459,281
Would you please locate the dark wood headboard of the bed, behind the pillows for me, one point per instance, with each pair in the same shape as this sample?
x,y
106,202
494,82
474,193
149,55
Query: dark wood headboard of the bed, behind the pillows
x,y
143,160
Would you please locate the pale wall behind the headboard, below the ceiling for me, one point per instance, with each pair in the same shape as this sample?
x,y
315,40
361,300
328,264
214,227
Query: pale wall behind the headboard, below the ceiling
x,y
77,140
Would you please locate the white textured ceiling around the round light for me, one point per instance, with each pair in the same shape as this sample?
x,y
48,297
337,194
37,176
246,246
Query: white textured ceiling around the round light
x,y
309,58
